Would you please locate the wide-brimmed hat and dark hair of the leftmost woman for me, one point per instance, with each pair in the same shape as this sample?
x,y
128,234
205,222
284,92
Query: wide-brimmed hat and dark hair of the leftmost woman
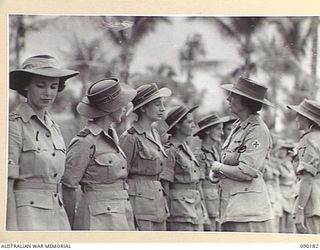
x,y
41,65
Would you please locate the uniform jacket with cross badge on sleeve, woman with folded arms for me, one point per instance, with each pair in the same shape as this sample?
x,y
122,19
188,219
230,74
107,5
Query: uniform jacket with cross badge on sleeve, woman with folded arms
x,y
246,148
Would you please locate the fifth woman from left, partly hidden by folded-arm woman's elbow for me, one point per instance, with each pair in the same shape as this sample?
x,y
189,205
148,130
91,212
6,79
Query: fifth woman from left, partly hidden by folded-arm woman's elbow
x,y
210,132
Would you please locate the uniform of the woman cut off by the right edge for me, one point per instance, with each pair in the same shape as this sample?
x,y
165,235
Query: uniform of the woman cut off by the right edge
x,y
309,158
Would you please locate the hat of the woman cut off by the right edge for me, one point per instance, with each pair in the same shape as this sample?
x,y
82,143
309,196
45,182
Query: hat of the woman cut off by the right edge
x,y
309,109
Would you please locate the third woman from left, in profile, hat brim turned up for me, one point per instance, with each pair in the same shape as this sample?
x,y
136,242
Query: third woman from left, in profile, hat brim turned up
x,y
146,158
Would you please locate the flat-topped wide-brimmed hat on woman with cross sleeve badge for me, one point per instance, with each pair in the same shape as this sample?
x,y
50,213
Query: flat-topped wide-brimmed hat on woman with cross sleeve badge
x,y
249,89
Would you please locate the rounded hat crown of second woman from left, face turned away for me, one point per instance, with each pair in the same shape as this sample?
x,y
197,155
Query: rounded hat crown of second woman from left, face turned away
x,y
104,91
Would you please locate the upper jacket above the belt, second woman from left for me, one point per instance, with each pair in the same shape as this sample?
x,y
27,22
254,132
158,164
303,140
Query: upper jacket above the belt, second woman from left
x,y
94,157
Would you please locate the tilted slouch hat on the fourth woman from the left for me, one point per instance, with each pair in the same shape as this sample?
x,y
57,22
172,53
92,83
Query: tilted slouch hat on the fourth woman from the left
x,y
175,115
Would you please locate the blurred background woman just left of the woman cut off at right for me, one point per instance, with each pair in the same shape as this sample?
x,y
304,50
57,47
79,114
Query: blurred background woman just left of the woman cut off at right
x,y
287,181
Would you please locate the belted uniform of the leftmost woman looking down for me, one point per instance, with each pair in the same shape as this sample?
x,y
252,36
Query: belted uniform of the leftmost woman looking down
x,y
36,159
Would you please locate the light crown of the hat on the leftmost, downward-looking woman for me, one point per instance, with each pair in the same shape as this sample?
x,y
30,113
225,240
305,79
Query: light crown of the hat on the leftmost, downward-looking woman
x,y
41,61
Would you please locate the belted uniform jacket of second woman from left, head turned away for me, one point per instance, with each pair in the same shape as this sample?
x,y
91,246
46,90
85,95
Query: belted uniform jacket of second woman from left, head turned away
x,y
97,163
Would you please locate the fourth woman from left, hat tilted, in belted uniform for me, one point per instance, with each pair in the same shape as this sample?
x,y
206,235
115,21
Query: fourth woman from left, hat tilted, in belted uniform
x,y
181,175
